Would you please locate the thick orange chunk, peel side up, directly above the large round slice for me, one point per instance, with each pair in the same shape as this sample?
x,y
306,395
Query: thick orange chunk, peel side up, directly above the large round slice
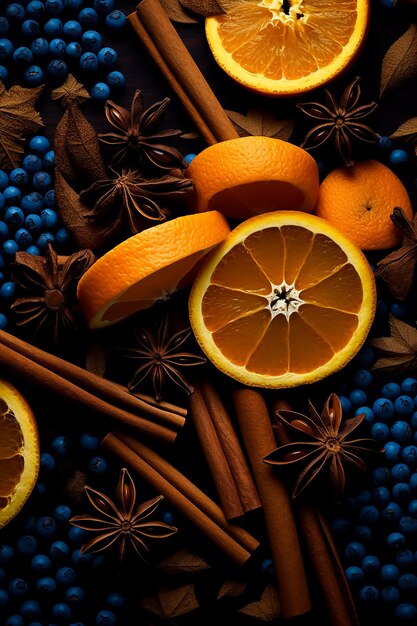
x,y
251,175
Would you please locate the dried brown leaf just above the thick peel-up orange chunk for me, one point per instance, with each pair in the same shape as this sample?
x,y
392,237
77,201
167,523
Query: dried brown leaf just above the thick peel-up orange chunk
x,y
261,121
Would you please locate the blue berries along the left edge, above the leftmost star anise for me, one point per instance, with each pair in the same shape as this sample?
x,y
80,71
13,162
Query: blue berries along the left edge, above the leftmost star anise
x,y
28,216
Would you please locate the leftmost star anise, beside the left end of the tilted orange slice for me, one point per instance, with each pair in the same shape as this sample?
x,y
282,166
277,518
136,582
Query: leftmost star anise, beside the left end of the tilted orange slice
x,y
47,305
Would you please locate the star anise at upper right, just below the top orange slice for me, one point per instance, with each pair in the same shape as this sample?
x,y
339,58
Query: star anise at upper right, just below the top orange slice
x,y
339,122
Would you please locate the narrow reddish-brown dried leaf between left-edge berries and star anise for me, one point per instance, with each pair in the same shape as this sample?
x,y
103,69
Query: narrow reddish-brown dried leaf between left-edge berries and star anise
x,y
71,211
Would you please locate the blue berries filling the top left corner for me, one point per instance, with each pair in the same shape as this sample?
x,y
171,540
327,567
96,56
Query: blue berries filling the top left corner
x,y
58,36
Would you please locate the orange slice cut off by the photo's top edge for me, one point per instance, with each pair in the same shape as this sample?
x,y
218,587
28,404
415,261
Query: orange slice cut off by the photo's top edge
x,y
282,47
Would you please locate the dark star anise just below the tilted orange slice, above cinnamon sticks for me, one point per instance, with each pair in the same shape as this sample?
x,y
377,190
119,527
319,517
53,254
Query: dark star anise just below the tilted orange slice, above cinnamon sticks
x,y
160,357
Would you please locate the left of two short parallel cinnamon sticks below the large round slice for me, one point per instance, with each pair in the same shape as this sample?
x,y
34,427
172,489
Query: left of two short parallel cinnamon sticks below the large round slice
x,y
216,460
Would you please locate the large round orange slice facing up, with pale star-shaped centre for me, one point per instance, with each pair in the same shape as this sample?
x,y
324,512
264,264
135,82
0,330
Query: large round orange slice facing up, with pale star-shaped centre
x,y
285,300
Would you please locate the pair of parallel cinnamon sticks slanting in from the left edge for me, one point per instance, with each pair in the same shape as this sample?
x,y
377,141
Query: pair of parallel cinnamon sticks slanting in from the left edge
x,y
160,421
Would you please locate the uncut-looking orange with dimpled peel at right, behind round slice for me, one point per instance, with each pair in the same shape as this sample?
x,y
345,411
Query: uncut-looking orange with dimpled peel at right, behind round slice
x,y
359,200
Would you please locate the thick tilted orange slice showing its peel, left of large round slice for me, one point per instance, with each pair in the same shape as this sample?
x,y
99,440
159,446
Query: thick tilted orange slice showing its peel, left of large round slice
x,y
148,267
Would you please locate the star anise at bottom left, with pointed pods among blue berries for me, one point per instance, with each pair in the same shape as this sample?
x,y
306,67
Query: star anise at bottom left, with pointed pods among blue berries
x,y
120,522
